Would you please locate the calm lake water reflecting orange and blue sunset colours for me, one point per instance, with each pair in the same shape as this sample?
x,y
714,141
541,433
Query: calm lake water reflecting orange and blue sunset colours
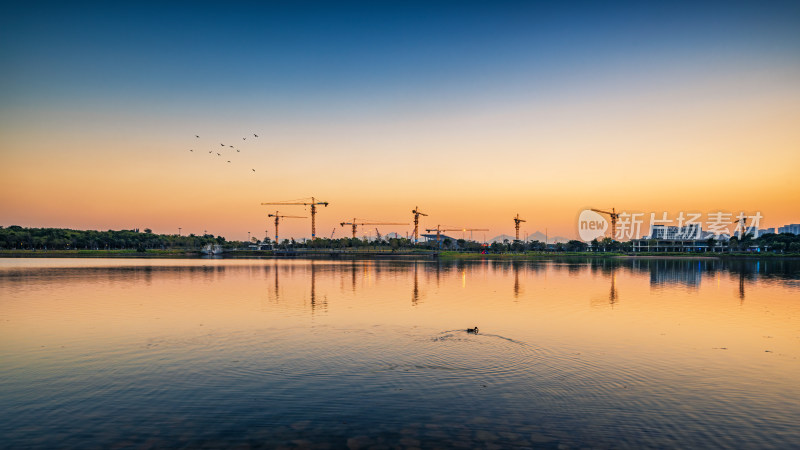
x,y
604,353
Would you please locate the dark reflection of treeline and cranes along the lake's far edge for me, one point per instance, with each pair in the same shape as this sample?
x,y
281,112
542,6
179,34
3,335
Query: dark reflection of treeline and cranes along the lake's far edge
x,y
661,272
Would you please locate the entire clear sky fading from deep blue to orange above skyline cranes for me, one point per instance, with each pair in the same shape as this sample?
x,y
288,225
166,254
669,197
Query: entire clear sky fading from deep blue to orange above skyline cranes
x,y
472,111
